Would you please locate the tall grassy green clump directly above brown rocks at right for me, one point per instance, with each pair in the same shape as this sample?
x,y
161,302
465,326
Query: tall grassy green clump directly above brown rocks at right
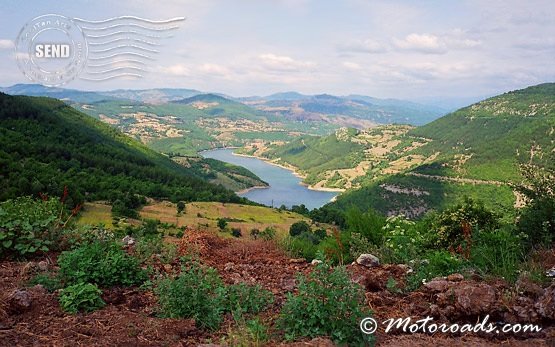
x,y
498,253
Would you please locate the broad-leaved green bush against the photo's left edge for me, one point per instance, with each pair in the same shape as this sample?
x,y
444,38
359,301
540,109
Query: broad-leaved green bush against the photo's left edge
x,y
28,226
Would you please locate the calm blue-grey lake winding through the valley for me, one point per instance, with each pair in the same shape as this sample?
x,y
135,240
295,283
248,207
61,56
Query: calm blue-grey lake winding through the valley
x,y
285,188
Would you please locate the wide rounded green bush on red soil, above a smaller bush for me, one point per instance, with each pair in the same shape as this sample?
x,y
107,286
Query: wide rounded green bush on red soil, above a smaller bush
x,y
100,263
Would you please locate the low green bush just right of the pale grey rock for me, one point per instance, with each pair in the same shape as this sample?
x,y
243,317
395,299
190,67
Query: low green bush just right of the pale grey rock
x,y
436,264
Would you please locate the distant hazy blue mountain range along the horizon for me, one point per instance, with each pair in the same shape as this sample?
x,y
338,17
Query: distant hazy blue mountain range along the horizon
x,y
291,105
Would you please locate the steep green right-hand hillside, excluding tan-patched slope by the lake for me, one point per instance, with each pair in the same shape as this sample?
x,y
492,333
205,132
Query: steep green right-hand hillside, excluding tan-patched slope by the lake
x,y
475,151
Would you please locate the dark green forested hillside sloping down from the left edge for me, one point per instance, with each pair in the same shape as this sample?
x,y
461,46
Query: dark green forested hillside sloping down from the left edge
x,y
46,145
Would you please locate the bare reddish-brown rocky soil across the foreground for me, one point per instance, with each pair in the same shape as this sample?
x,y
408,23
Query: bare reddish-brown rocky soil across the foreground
x,y
31,316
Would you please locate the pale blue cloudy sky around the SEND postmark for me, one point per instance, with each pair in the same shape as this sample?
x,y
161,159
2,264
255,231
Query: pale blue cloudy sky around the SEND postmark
x,y
398,49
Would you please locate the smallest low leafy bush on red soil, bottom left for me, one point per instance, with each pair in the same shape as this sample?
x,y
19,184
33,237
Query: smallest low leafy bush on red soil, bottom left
x,y
81,297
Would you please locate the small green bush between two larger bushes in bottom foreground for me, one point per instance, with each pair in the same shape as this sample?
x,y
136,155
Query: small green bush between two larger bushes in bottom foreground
x,y
247,299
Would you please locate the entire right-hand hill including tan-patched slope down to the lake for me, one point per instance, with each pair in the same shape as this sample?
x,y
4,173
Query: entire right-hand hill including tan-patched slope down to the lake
x,y
475,152
